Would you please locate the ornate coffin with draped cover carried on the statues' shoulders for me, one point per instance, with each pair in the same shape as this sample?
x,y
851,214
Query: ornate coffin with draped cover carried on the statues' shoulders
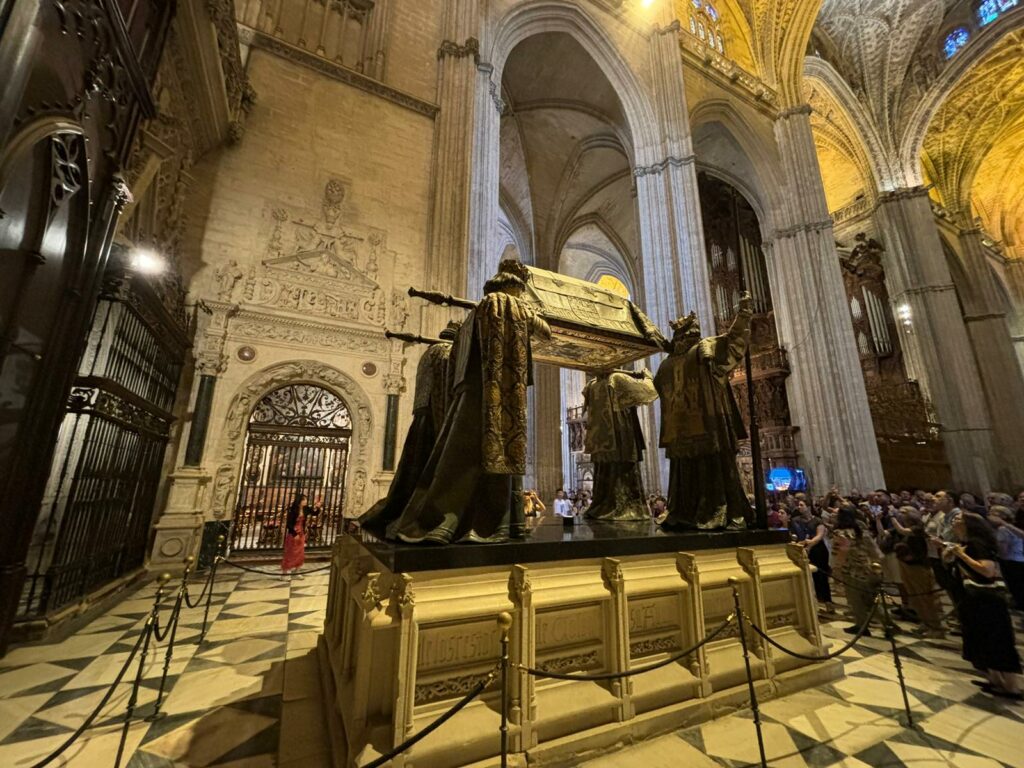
x,y
592,329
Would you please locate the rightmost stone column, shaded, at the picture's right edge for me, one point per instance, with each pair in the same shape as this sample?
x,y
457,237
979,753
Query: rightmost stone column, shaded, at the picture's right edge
x,y
1002,380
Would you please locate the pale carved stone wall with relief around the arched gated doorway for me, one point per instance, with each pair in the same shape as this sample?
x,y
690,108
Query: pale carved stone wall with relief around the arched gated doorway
x,y
306,237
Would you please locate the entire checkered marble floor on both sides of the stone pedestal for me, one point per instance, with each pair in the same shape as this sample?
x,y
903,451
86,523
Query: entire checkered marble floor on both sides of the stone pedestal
x,y
251,693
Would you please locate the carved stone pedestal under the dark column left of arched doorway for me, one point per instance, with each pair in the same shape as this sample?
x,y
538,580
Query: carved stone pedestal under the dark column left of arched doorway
x,y
180,530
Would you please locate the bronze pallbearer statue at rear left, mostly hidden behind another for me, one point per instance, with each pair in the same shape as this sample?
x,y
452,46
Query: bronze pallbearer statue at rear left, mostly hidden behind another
x,y
431,402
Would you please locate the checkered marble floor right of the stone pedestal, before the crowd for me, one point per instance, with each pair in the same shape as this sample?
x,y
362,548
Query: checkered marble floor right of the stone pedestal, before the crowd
x,y
858,722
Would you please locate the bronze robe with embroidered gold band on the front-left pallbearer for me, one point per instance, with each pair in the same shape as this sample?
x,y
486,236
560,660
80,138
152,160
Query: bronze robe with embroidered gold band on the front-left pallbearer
x,y
465,492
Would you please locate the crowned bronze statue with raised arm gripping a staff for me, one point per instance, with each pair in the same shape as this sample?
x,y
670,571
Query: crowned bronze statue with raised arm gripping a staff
x,y
702,424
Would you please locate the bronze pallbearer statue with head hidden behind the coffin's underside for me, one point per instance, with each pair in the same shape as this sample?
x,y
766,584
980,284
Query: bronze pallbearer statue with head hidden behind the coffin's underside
x,y
616,444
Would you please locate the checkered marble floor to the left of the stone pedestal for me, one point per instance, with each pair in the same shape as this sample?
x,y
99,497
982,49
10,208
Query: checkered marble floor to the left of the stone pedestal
x,y
252,685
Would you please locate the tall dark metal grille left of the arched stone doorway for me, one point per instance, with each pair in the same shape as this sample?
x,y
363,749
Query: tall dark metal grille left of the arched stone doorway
x,y
95,526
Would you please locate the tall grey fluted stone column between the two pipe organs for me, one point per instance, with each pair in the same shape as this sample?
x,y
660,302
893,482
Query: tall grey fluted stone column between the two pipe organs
x,y
826,388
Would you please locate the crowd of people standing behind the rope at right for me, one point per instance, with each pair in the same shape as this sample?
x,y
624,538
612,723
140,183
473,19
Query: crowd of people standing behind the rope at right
x,y
921,547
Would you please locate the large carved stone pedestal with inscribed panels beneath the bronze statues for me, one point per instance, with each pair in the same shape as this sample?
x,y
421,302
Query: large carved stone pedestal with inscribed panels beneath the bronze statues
x,y
401,649
